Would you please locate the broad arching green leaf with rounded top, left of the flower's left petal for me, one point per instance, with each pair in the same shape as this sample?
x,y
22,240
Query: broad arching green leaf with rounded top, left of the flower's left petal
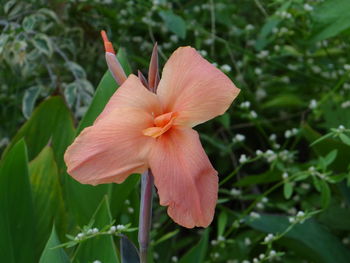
x,y
51,122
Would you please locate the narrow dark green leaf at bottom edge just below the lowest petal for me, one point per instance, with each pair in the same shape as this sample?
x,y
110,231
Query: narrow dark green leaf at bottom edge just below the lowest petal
x,y
198,252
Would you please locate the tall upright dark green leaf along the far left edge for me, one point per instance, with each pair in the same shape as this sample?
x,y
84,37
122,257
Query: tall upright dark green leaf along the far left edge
x,y
17,222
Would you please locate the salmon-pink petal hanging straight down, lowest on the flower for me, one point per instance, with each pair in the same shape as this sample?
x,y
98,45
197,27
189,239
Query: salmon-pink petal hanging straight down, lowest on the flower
x,y
186,181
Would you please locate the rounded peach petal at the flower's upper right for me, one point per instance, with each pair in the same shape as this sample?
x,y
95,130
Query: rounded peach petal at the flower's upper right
x,y
195,88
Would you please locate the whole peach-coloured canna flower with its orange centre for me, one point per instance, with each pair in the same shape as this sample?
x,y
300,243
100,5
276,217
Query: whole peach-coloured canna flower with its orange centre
x,y
139,129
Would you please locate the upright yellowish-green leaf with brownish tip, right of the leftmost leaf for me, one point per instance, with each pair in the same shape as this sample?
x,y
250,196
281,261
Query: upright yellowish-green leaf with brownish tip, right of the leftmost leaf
x,y
47,194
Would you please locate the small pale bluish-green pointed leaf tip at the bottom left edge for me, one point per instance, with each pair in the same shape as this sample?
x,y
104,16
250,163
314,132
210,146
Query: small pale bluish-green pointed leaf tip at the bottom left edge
x,y
51,254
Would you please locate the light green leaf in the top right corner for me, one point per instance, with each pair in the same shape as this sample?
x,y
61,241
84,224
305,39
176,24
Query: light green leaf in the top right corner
x,y
331,18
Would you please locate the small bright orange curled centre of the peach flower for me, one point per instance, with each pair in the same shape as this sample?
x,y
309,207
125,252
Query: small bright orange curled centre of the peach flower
x,y
161,123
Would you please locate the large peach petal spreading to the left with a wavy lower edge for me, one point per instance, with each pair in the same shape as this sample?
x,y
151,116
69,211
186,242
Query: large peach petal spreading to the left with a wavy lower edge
x,y
112,149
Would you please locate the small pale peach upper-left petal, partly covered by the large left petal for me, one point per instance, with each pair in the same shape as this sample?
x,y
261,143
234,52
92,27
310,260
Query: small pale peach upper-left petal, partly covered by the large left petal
x,y
132,94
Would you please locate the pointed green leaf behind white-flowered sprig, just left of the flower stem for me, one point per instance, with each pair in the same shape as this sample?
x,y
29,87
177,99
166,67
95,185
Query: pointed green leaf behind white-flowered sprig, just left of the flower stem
x,y
102,247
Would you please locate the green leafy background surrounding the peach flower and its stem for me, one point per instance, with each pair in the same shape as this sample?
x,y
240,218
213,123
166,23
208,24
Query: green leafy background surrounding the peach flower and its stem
x,y
281,150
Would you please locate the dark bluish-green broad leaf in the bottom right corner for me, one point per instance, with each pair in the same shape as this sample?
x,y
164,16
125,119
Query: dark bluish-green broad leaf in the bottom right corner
x,y
309,239
